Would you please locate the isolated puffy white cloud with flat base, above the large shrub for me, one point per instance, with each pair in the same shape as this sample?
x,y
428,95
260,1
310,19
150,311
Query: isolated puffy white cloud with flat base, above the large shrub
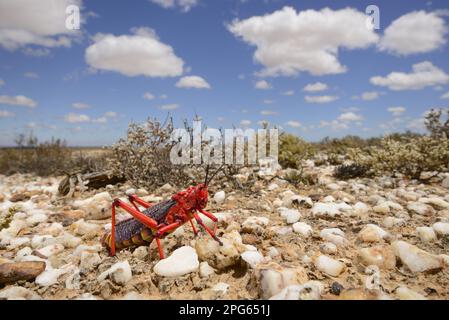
x,y
140,53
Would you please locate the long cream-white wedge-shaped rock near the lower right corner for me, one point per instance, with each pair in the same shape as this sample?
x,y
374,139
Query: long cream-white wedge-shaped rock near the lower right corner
x,y
415,259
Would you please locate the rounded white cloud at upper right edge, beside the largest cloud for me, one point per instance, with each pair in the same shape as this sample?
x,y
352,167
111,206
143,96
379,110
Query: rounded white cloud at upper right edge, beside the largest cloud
x,y
414,32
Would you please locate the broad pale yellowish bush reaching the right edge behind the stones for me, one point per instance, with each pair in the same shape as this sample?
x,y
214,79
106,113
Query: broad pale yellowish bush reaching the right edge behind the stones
x,y
408,156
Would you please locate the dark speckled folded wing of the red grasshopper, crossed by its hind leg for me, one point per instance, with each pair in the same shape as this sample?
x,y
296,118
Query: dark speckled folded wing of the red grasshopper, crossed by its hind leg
x,y
125,229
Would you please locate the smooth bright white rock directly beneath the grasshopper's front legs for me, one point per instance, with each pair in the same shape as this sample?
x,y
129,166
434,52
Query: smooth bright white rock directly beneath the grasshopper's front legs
x,y
182,261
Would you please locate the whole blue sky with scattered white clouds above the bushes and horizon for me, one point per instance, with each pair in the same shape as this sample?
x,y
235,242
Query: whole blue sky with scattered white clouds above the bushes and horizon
x,y
233,62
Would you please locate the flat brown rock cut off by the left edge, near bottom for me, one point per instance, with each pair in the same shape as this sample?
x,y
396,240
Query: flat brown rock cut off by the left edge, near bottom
x,y
12,272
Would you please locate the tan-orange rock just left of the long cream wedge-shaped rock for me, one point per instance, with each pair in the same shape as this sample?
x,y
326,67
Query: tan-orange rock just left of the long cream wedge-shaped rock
x,y
381,256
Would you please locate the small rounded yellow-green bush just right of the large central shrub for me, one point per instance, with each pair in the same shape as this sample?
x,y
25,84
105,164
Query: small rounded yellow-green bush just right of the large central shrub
x,y
292,150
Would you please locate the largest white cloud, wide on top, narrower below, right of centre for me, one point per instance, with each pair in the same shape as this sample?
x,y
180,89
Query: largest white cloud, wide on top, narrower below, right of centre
x,y
288,42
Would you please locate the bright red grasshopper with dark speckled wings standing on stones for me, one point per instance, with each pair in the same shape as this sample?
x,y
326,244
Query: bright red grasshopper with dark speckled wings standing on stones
x,y
158,220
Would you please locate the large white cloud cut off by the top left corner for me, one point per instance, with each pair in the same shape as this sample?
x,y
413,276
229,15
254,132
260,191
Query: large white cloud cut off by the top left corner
x,y
40,23
